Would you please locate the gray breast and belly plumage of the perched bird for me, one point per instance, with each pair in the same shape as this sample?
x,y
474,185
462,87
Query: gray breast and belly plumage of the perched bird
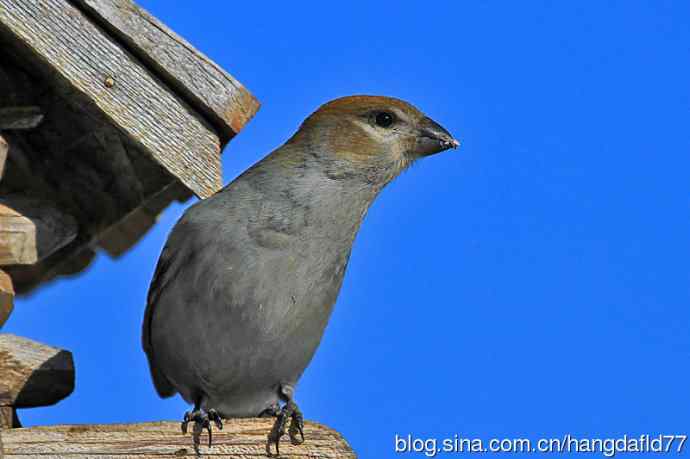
x,y
248,279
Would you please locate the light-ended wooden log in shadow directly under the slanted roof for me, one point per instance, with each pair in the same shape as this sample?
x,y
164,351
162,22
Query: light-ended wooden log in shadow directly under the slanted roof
x,y
32,229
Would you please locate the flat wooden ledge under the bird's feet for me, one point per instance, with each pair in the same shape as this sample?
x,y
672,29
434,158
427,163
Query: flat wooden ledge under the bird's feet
x,y
239,439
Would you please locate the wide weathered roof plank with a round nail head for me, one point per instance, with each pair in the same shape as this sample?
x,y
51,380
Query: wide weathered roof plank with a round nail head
x,y
91,63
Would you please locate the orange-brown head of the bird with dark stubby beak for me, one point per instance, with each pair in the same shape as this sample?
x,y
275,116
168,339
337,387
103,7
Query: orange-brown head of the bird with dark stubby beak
x,y
377,136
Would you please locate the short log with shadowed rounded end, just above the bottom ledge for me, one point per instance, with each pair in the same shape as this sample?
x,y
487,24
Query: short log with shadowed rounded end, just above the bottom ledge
x,y
33,374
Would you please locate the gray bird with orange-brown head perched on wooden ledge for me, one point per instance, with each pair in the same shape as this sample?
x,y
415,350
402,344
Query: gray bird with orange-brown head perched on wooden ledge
x,y
247,280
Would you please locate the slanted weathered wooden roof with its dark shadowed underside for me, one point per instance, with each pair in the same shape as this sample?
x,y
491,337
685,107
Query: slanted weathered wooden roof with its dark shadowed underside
x,y
106,116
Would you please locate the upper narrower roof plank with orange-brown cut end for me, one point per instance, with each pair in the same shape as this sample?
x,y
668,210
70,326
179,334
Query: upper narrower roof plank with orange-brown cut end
x,y
208,87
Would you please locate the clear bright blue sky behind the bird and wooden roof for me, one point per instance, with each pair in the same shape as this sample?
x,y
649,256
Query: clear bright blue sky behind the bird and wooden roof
x,y
533,283
